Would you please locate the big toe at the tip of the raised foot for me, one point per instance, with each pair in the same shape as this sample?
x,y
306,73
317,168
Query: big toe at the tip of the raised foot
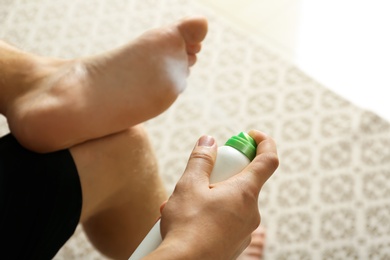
x,y
193,29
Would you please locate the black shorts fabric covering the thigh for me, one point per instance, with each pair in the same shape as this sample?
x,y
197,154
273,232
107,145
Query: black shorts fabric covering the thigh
x,y
40,201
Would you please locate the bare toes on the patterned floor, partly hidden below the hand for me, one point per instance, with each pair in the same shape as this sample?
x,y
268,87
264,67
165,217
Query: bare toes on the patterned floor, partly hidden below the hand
x,y
256,248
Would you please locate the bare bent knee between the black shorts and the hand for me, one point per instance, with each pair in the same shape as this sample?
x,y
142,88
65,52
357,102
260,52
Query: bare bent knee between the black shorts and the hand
x,y
122,191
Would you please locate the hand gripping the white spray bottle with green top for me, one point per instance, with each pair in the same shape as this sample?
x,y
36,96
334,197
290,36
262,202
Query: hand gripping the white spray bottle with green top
x,y
214,221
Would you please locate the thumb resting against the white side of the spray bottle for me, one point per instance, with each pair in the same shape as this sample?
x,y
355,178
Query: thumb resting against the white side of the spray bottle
x,y
200,163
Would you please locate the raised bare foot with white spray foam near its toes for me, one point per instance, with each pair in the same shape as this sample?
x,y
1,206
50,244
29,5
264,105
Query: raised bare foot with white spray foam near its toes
x,y
72,101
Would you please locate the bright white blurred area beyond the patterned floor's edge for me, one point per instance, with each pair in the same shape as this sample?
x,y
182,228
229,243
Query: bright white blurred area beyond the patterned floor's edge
x,y
343,44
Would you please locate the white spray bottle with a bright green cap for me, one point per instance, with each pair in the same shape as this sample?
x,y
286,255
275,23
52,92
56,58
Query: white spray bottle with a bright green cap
x,y
232,158
